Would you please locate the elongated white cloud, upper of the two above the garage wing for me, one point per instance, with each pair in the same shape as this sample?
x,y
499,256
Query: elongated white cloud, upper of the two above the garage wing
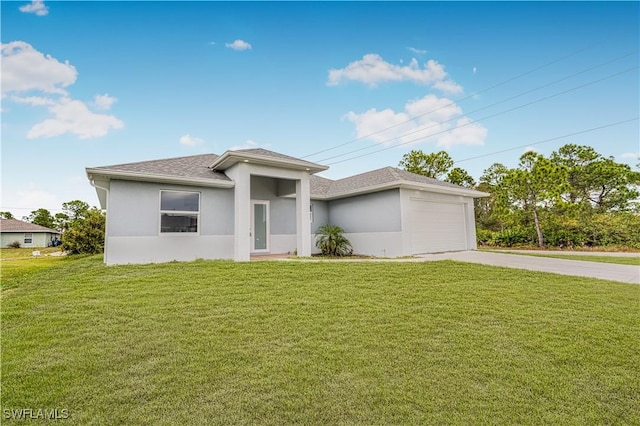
x,y
372,69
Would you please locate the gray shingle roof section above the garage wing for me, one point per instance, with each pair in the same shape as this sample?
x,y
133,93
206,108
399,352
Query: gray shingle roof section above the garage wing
x,y
386,175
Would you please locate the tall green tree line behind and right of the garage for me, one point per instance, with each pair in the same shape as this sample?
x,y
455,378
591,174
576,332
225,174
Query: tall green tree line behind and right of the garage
x,y
575,197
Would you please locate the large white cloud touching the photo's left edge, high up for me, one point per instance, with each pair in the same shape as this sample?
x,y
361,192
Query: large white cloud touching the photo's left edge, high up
x,y
24,68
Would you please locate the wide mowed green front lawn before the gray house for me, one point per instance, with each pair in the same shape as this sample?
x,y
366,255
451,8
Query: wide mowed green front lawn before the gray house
x,y
320,343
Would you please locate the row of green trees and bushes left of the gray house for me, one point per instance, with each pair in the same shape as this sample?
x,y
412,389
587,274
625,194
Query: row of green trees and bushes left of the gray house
x,y
82,227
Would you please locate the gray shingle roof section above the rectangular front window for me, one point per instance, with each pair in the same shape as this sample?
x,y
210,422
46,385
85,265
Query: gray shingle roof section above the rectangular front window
x,y
194,166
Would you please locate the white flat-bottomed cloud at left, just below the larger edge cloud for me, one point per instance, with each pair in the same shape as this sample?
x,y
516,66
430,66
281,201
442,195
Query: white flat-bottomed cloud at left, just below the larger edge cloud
x,y
73,116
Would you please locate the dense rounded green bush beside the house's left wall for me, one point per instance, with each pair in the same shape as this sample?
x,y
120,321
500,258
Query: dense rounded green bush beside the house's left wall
x,y
86,234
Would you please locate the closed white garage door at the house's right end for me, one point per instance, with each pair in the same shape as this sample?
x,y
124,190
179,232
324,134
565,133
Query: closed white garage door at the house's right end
x,y
437,227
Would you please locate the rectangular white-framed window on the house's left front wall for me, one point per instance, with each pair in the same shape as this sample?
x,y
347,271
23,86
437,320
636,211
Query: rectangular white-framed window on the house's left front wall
x,y
179,211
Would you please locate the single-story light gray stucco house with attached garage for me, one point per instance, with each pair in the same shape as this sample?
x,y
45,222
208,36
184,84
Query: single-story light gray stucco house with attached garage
x,y
256,201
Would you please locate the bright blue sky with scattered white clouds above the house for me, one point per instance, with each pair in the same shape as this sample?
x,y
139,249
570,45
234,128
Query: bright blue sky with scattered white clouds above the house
x,y
97,83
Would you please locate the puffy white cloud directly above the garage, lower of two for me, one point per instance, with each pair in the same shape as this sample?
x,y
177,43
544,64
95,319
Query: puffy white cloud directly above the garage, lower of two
x,y
428,119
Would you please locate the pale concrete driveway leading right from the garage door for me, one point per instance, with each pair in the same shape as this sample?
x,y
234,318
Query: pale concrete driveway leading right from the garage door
x,y
605,271
